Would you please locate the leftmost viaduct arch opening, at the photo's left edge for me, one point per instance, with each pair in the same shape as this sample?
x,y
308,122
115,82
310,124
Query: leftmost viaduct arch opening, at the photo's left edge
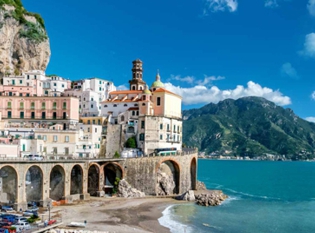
x,y
10,184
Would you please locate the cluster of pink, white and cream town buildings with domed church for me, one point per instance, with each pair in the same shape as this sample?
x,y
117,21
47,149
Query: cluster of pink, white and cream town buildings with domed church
x,y
44,116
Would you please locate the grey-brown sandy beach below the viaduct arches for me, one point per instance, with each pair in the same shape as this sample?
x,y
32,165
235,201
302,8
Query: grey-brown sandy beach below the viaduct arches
x,y
118,215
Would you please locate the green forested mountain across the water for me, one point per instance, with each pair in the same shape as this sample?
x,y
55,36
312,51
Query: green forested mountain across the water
x,y
249,126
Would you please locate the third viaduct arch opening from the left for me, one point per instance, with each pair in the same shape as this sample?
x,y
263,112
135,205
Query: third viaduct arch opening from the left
x,y
57,183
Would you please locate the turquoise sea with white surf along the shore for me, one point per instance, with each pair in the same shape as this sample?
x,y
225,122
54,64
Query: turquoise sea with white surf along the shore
x,y
264,197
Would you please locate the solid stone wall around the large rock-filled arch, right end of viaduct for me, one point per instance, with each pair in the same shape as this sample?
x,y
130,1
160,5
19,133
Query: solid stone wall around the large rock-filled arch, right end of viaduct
x,y
141,173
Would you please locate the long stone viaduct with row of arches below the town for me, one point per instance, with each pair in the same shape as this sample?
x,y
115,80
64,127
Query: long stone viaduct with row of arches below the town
x,y
51,181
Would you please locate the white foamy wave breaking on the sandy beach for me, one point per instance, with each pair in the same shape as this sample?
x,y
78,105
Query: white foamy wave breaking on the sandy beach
x,y
167,221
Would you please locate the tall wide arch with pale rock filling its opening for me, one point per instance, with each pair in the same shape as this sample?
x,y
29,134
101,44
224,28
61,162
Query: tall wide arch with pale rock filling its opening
x,y
167,177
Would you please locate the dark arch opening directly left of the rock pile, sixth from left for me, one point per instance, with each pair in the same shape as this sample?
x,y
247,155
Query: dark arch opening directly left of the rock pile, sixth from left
x,y
111,171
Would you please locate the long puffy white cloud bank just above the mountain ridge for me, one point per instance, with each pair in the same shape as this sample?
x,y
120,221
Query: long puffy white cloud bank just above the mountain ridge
x,y
202,95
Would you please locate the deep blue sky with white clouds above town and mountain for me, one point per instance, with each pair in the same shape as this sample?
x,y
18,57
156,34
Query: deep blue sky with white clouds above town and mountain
x,y
205,50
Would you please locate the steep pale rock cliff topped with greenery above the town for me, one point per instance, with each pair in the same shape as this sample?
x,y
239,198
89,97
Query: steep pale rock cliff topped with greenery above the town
x,y
24,44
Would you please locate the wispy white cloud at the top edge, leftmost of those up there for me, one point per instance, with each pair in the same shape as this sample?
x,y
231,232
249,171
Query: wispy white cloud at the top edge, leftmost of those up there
x,y
220,5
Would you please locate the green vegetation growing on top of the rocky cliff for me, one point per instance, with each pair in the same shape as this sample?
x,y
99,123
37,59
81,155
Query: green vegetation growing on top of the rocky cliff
x,y
32,31
